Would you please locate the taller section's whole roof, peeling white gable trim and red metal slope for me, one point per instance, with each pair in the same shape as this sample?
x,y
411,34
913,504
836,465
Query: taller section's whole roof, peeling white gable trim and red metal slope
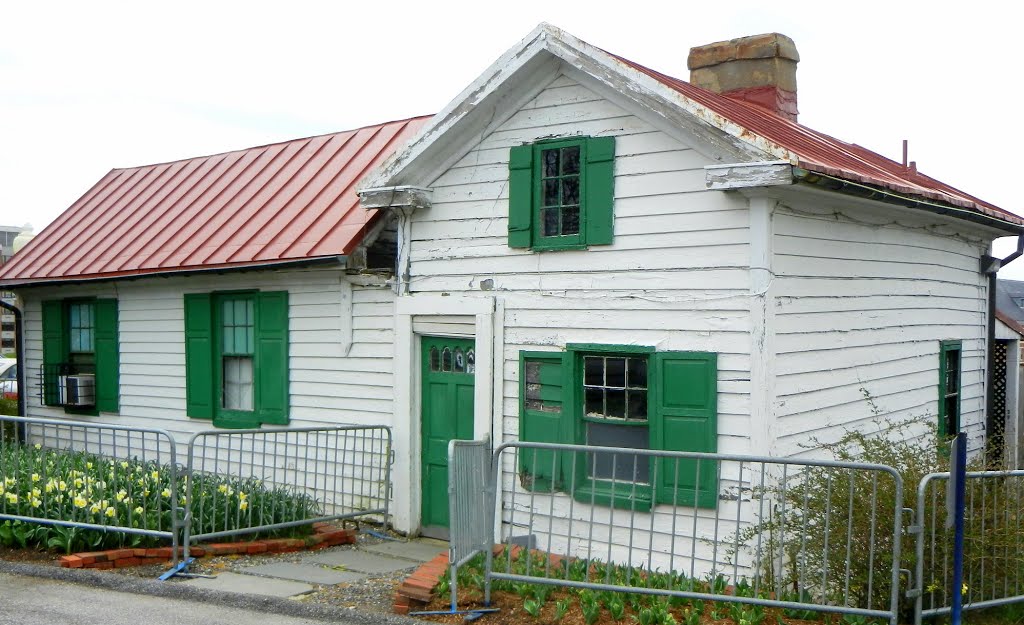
x,y
736,132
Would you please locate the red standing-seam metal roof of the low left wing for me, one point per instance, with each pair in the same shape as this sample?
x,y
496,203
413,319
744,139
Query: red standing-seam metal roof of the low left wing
x,y
279,203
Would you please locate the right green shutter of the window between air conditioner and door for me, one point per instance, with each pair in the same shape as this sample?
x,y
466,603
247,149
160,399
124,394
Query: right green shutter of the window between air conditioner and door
x,y
272,358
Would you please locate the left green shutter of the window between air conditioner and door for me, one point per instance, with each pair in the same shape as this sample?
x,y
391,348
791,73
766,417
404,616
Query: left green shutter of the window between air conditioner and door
x,y
199,356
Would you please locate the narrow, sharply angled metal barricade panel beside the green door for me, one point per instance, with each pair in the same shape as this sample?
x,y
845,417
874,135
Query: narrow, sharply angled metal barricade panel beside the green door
x,y
470,482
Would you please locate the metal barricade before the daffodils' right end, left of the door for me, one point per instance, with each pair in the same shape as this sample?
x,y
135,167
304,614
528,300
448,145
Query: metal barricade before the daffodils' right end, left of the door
x,y
249,481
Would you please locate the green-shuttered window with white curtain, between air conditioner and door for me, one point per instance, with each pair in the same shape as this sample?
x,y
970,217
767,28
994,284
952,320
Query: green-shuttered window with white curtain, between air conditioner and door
x,y
237,358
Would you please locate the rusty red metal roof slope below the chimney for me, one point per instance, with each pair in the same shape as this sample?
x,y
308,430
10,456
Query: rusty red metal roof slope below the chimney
x,y
823,154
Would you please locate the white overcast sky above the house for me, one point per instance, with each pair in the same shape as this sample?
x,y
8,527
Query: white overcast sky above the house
x,y
90,87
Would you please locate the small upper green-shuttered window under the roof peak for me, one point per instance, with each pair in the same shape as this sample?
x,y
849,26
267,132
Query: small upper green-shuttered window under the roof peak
x,y
561,194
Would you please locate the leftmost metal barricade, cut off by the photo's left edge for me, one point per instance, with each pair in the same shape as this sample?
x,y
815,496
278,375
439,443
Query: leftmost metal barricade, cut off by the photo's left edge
x,y
90,476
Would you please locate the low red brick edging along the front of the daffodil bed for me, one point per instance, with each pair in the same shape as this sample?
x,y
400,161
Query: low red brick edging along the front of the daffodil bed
x,y
325,535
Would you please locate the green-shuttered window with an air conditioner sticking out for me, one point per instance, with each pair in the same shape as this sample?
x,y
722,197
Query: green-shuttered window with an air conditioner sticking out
x,y
81,358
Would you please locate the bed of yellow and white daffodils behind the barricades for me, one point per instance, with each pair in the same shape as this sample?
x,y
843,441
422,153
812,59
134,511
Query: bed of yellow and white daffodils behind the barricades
x,y
44,483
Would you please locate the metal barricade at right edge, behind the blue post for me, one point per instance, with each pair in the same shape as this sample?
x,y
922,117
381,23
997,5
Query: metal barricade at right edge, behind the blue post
x,y
994,561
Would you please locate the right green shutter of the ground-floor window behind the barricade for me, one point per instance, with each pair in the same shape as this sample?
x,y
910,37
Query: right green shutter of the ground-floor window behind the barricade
x,y
687,420
